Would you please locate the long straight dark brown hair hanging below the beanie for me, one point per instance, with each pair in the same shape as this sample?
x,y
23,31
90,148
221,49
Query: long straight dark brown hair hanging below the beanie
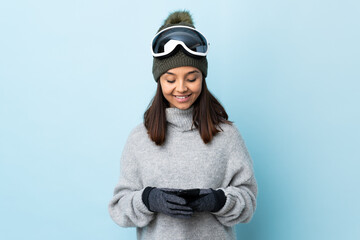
x,y
208,113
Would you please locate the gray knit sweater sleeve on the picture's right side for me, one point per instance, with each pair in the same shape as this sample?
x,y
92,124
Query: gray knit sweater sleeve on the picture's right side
x,y
240,185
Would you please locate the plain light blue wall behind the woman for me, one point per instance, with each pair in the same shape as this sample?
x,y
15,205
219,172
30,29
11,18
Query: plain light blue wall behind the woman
x,y
75,77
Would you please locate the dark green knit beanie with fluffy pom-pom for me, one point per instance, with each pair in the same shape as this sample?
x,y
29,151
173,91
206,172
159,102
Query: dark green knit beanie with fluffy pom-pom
x,y
179,59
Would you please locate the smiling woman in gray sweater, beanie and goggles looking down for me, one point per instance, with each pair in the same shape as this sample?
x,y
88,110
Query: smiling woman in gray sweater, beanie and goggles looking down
x,y
185,171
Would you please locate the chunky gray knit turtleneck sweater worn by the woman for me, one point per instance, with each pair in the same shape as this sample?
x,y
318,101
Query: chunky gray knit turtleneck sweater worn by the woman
x,y
184,162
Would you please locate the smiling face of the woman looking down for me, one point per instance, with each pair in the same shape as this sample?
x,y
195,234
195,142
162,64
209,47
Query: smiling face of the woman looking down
x,y
181,86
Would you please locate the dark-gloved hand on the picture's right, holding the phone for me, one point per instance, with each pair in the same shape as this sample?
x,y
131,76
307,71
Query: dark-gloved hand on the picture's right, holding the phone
x,y
209,200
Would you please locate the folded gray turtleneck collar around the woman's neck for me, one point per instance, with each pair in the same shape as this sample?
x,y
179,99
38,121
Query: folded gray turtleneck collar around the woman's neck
x,y
180,119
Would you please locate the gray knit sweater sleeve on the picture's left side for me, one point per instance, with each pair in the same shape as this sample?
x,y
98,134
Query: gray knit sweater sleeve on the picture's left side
x,y
126,207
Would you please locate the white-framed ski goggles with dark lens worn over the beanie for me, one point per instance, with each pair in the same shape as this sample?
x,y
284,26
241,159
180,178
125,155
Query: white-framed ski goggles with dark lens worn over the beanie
x,y
165,41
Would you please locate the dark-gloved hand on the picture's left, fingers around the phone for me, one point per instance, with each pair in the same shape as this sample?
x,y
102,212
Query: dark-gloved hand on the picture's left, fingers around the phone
x,y
157,200
